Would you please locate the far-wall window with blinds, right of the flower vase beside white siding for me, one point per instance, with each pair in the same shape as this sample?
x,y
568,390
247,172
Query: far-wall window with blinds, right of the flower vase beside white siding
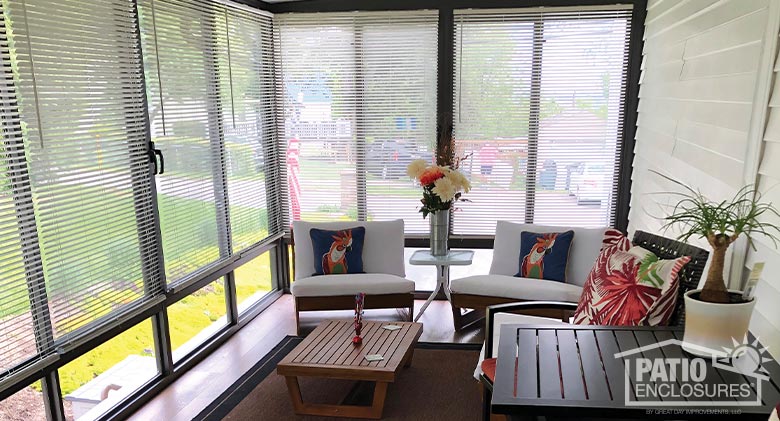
x,y
539,99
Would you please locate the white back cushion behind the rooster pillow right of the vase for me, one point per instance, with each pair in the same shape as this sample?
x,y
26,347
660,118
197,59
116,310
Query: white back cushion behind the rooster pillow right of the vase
x,y
584,249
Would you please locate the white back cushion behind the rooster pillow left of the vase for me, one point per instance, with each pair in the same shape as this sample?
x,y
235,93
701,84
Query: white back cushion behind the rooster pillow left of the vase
x,y
383,248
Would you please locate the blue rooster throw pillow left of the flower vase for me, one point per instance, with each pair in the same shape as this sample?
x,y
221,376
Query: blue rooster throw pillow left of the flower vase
x,y
338,252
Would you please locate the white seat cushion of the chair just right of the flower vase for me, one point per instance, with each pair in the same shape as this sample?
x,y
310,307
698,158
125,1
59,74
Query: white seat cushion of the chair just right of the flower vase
x,y
520,288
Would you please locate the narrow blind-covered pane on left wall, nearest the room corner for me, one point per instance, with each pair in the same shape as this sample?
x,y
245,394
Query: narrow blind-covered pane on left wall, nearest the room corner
x,y
253,173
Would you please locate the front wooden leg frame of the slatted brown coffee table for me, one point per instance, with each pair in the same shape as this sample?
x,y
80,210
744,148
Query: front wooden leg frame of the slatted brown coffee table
x,y
352,411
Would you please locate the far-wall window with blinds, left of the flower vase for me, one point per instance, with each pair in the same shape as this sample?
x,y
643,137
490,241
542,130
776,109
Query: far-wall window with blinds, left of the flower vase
x,y
357,97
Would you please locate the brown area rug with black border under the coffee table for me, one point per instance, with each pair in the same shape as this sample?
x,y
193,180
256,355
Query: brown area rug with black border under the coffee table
x,y
438,386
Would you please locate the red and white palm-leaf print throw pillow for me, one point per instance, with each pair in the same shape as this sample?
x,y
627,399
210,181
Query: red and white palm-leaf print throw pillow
x,y
629,288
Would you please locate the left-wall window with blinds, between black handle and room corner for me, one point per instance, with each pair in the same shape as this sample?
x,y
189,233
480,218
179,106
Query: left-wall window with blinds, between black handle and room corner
x,y
210,82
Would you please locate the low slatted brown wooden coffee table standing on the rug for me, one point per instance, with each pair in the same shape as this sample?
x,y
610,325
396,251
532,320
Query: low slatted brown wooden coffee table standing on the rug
x,y
328,352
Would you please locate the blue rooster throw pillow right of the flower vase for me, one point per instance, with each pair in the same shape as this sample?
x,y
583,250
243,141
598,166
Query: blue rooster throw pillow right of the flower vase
x,y
544,255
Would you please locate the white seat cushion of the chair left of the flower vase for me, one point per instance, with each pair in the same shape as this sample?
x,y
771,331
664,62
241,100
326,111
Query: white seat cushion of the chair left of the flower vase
x,y
351,284
